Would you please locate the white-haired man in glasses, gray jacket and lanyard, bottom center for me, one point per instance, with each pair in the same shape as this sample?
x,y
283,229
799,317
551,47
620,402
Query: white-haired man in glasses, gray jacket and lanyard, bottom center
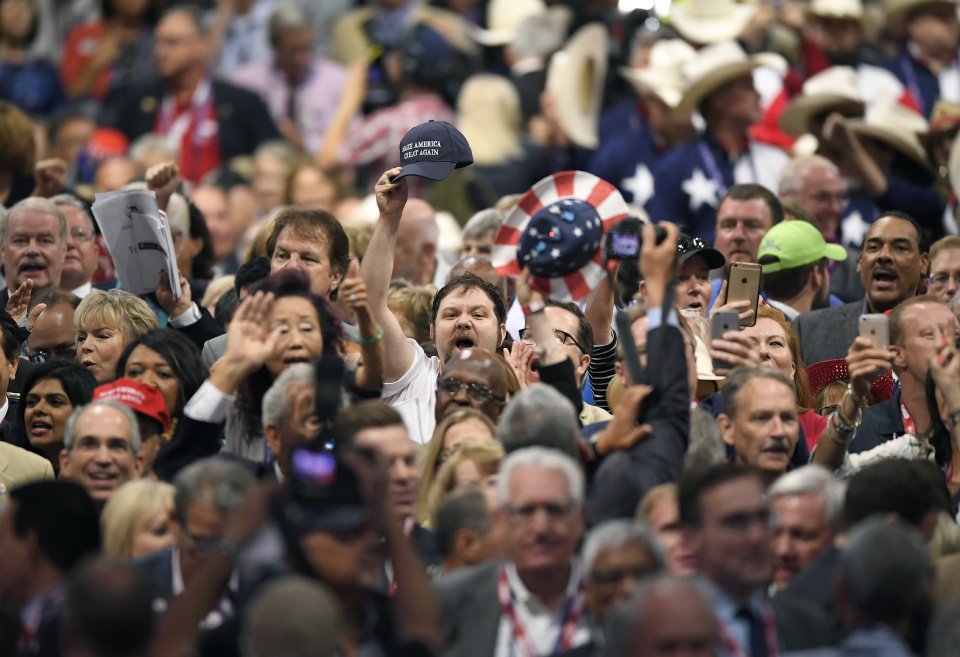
x,y
532,602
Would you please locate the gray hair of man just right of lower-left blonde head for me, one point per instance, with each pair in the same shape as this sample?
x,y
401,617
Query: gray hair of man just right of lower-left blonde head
x,y
224,482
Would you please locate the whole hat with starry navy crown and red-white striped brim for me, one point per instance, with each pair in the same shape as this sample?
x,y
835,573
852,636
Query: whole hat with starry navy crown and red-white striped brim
x,y
556,229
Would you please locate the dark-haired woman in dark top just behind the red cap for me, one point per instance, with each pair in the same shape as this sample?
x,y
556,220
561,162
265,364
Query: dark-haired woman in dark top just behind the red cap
x,y
169,362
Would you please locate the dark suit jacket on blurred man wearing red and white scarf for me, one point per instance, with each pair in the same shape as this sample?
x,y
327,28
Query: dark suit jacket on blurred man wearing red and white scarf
x,y
242,118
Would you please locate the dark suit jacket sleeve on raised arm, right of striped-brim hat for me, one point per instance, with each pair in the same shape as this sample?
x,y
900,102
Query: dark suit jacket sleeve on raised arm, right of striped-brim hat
x,y
624,477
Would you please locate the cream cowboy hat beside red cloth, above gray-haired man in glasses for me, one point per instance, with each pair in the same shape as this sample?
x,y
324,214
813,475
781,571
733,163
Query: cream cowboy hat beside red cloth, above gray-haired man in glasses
x,y
834,89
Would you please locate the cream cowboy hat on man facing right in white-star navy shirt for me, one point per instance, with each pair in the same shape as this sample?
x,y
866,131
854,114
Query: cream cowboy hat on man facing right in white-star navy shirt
x,y
717,65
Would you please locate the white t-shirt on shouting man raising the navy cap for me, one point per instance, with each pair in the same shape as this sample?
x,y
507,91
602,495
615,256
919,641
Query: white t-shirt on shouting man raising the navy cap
x,y
414,394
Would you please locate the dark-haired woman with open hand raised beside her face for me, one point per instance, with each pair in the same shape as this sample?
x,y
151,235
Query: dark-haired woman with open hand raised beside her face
x,y
278,324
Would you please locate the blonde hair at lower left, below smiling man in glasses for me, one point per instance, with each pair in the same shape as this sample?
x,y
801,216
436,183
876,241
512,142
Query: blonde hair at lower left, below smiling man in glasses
x,y
129,505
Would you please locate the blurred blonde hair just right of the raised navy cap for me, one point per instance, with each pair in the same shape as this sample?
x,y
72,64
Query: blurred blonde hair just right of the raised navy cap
x,y
489,117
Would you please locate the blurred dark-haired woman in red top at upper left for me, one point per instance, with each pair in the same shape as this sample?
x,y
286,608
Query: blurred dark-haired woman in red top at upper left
x,y
112,52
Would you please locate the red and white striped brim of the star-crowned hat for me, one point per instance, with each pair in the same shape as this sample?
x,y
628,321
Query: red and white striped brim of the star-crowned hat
x,y
604,197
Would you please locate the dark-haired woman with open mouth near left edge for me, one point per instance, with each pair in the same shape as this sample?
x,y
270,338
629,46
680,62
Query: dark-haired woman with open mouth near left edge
x,y
50,393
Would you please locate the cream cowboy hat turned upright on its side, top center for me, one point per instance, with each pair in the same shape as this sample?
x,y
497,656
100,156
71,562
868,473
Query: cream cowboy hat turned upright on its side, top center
x,y
575,78
